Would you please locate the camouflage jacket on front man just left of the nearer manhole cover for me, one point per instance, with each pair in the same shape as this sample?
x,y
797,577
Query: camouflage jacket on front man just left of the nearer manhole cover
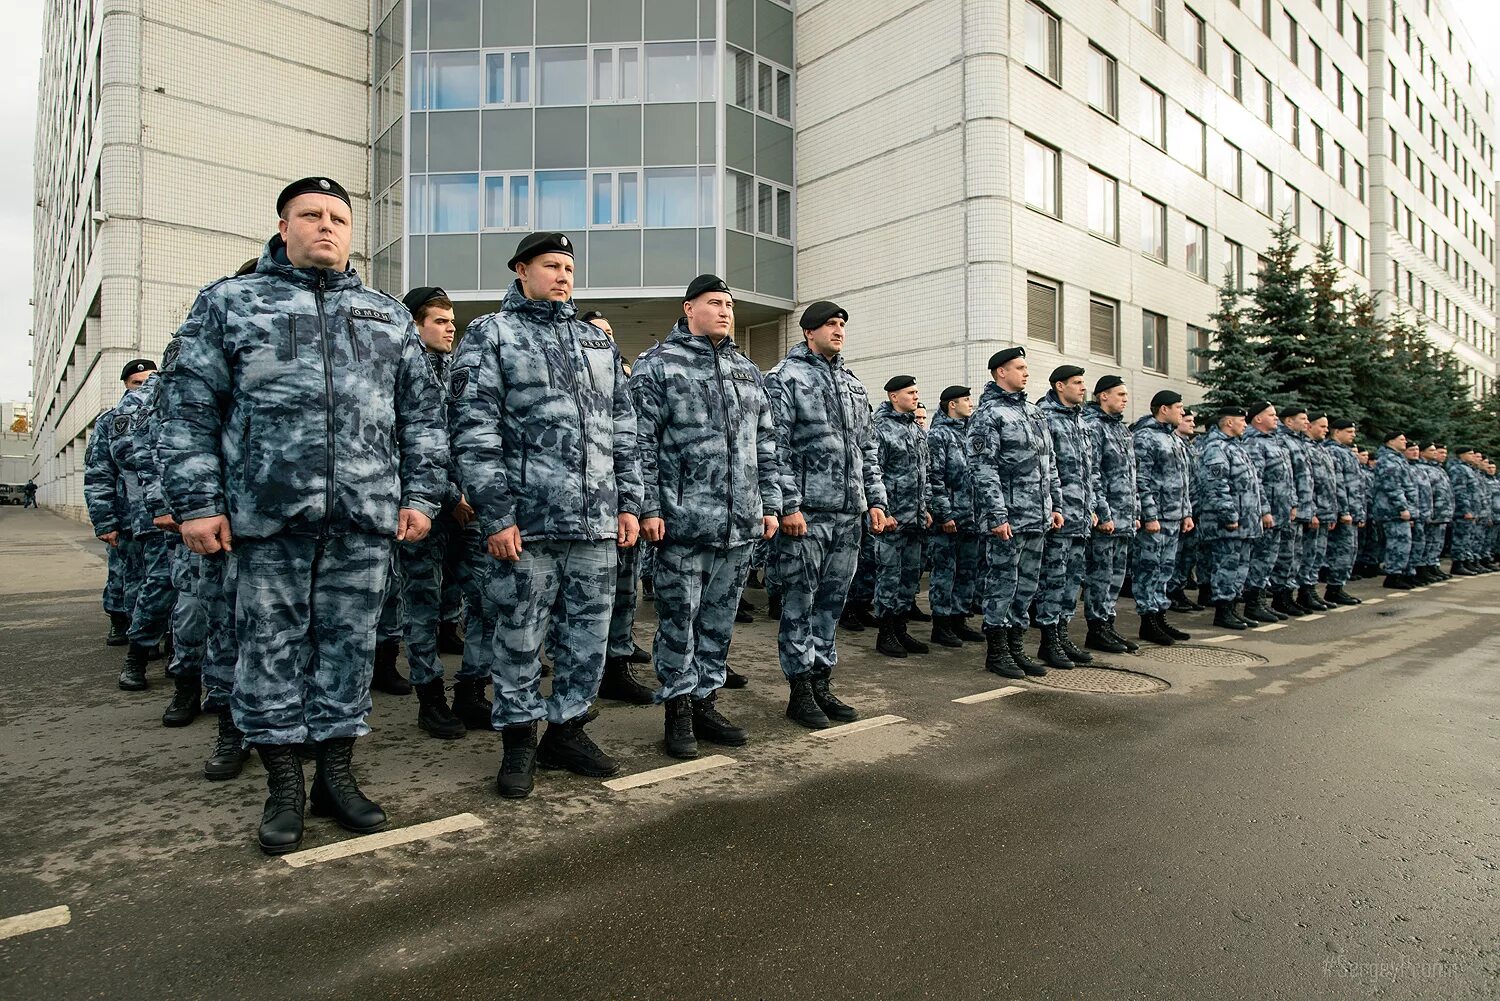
x,y
1015,469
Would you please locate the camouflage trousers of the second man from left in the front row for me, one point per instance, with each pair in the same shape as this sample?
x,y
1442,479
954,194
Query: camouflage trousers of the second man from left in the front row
x,y
559,592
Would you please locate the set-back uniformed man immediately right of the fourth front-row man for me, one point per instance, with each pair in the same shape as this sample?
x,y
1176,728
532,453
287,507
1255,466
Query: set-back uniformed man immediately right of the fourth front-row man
x,y
899,550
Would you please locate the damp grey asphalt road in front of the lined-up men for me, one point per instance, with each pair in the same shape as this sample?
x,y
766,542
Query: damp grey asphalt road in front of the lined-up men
x,y
1303,814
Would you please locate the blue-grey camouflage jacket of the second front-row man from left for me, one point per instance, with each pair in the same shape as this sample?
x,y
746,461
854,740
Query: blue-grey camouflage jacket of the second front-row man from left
x,y
542,422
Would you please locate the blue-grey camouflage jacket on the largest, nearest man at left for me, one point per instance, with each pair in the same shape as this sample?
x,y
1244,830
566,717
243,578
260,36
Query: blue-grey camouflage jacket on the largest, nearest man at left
x,y
299,401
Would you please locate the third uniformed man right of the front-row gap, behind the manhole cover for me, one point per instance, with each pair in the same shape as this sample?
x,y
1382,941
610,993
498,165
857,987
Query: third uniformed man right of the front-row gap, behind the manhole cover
x,y
1117,513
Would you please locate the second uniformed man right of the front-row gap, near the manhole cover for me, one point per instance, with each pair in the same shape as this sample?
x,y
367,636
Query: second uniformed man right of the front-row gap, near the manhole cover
x,y
1064,549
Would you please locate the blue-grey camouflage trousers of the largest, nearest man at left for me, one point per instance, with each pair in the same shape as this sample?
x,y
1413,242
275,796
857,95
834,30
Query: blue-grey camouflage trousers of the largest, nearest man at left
x,y
305,616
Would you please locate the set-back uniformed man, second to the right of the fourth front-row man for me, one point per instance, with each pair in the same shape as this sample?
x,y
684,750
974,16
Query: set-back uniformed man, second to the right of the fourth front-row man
x,y
955,543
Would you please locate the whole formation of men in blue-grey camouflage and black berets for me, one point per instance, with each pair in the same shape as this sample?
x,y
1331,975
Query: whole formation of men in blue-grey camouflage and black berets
x,y
316,475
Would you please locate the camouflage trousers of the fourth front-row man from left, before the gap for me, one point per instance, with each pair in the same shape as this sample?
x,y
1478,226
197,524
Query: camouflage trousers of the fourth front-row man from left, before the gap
x,y
814,574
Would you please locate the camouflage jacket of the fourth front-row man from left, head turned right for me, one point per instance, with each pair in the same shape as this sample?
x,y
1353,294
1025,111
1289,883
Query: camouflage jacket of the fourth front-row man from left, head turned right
x,y
824,436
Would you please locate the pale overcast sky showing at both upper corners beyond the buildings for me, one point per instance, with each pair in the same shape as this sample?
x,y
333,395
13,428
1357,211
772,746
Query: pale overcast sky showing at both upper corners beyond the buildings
x,y
22,52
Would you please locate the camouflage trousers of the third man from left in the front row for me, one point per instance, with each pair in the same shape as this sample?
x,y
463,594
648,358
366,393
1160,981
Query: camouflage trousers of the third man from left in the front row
x,y
698,592
